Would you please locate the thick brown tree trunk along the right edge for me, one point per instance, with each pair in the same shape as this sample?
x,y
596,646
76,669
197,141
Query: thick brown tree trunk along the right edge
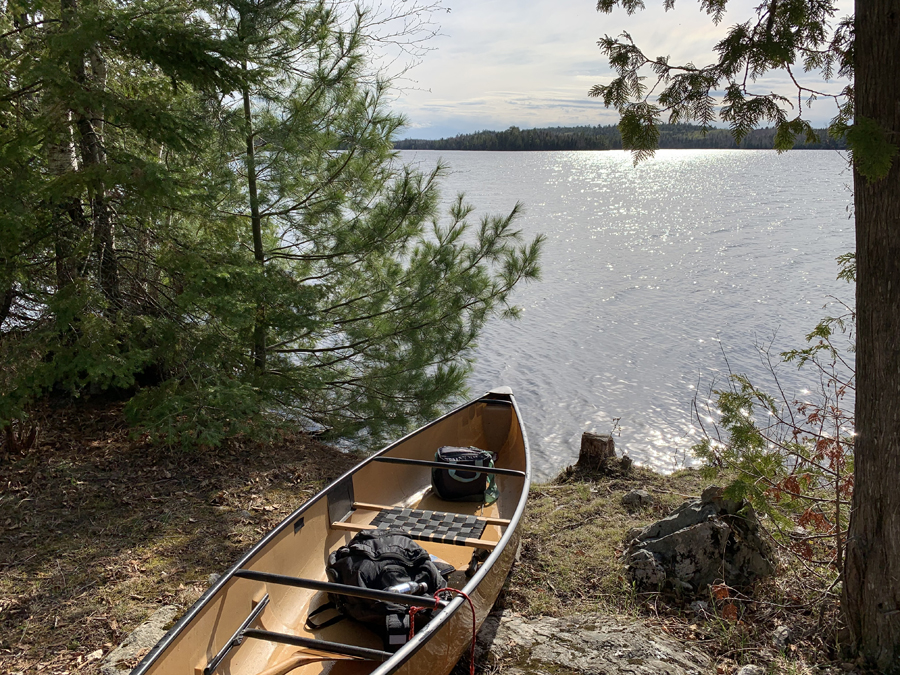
x,y
871,593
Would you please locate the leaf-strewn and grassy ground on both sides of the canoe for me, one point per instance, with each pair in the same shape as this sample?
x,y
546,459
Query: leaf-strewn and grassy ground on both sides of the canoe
x,y
97,530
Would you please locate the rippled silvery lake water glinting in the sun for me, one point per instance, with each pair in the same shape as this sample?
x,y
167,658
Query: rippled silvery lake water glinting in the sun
x,y
645,270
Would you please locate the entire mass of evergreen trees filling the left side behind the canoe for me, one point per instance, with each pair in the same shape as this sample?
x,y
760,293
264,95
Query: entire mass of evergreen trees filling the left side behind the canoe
x,y
203,214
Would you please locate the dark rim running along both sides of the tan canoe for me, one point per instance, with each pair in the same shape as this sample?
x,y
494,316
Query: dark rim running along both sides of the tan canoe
x,y
421,638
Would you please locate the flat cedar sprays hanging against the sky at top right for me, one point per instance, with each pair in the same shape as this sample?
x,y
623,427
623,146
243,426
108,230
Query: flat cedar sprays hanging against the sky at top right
x,y
782,36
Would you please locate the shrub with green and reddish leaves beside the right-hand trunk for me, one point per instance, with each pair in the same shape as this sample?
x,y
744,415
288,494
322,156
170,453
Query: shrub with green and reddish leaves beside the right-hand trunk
x,y
791,459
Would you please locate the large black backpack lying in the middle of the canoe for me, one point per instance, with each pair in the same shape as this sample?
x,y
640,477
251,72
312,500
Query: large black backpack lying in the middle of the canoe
x,y
379,559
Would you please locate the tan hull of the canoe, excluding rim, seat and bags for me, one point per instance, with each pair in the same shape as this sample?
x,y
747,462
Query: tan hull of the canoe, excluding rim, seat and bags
x,y
300,546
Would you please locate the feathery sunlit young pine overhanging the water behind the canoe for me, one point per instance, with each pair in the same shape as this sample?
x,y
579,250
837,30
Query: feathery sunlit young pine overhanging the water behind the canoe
x,y
339,297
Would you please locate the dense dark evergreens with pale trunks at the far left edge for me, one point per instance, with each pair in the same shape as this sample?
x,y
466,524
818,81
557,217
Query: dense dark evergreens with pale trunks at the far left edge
x,y
95,97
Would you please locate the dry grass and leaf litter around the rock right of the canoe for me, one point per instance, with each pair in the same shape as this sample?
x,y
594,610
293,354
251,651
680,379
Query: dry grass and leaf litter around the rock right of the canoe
x,y
574,536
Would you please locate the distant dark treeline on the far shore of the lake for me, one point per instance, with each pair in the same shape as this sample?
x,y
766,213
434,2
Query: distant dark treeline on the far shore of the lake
x,y
672,136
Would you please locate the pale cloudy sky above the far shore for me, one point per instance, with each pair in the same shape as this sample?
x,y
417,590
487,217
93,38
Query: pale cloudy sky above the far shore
x,y
530,63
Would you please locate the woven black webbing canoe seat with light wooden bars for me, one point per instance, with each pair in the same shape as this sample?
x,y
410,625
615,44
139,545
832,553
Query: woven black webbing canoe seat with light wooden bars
x,y
438,526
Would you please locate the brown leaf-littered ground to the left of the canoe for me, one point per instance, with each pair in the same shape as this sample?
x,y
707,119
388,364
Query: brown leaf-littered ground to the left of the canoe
x,y
98,530
